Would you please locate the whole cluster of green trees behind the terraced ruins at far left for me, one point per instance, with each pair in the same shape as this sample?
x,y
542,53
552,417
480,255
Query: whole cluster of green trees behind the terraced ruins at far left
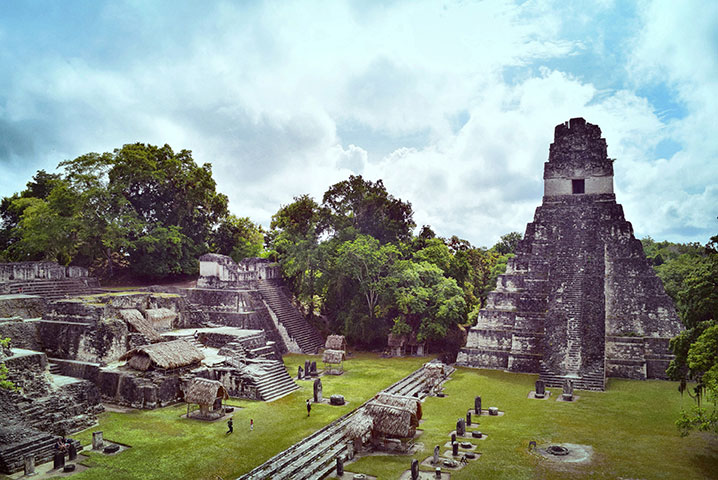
x,y
144,208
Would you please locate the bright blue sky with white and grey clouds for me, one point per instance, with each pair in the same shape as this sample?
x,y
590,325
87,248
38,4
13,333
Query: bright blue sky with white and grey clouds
x,y
452,104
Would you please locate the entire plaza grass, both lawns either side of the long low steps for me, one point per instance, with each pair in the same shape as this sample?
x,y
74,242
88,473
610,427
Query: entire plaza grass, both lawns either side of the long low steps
x,y
630,427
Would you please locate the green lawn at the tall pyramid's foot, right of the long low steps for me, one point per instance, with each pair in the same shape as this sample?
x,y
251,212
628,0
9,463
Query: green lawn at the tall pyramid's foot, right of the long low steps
x,y
630,427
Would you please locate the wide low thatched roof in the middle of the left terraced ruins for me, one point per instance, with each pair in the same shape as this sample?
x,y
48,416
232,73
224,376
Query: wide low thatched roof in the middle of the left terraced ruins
x,y
164,355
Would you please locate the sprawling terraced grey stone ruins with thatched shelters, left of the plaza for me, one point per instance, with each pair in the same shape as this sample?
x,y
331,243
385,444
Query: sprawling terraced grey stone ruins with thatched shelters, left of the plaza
x,y
75,345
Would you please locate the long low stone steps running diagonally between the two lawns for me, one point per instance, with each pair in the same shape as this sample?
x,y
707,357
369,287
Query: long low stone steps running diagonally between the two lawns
x,y
314,457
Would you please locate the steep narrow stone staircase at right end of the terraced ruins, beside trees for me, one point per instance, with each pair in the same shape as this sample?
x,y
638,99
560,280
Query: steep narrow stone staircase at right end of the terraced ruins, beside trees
x,y
306,336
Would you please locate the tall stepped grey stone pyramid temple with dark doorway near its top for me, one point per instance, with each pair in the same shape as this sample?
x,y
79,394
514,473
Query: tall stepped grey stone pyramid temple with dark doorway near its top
x,y
579,300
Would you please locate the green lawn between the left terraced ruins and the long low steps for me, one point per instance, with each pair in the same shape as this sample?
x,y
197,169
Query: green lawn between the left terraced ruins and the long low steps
x,y
164,445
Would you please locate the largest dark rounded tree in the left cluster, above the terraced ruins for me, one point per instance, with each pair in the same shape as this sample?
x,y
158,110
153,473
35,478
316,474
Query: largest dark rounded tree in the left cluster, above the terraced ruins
x,y
143,205
